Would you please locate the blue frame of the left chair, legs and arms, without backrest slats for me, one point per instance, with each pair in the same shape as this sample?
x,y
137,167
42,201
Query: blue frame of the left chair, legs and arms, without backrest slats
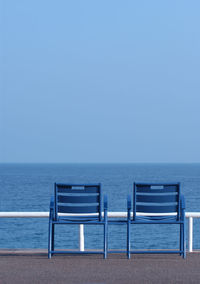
x,y
75,218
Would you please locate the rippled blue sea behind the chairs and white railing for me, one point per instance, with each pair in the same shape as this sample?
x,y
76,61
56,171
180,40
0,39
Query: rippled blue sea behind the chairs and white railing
x,y
28,187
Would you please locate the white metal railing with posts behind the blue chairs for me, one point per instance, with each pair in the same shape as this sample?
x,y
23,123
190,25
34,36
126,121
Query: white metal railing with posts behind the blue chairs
x,y
189,215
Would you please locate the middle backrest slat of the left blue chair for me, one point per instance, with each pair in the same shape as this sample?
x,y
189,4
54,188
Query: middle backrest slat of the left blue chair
x,y
78,199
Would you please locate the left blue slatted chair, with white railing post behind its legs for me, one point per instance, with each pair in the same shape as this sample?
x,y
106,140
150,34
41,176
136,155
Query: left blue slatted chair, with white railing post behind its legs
x,y
76,204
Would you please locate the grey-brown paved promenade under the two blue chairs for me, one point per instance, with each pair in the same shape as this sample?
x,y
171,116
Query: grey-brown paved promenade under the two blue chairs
x,y
34,267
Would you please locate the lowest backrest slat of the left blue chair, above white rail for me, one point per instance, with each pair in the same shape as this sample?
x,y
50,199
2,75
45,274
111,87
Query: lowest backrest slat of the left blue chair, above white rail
x,y
78,209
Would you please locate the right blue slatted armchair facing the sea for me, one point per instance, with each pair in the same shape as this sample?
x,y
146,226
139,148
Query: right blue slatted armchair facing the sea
x,y
157,204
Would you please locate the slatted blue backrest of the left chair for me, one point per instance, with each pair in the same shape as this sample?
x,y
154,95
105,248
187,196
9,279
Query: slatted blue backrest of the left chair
x,y
78,199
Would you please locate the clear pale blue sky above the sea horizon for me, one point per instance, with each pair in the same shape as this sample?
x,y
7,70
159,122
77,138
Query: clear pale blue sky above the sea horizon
x,y
100,81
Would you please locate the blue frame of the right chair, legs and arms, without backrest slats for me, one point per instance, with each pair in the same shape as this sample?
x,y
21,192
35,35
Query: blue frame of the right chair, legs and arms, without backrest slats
x,y
179,220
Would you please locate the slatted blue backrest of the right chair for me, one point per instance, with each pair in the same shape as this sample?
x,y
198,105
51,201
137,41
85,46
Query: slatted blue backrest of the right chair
x,y
156,198
